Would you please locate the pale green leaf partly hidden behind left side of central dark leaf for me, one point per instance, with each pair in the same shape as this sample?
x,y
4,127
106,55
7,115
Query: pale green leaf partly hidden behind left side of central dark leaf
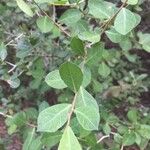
x,y
54,80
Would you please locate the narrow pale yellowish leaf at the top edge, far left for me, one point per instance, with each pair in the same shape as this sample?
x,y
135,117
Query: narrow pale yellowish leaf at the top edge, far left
x,y
24,7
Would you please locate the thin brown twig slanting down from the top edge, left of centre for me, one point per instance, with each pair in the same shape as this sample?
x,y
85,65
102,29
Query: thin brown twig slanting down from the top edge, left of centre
x,y
59,26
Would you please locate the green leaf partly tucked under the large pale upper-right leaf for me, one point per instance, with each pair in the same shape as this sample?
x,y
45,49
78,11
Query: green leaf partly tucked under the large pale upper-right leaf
x,y
114,36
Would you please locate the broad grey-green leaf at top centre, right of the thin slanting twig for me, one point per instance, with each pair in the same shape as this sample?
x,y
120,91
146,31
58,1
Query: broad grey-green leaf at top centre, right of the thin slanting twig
x,y
70,17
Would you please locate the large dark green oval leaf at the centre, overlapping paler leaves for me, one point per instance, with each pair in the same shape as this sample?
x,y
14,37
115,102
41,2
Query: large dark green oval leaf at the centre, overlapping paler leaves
x,y
71,75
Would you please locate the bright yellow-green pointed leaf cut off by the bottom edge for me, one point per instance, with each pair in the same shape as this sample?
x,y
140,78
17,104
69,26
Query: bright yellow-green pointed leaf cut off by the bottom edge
x,y
69,141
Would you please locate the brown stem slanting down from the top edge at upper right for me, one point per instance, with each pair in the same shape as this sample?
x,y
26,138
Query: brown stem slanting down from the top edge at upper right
x,y
112,18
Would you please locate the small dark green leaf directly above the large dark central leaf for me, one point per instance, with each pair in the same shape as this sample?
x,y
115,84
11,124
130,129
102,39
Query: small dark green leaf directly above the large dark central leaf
x,y
77,46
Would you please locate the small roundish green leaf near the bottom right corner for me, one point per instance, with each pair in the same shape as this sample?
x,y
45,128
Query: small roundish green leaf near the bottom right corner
x,y
129,138
